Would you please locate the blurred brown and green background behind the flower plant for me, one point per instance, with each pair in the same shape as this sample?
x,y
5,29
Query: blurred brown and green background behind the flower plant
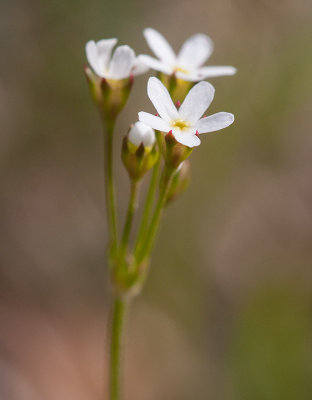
x,y
226,313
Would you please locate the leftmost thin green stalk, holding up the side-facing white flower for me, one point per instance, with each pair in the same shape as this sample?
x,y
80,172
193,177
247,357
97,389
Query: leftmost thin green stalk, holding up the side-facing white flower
x,y
109,187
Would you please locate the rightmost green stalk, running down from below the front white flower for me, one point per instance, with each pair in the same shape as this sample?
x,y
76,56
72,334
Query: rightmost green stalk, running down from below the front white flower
x,y
146,247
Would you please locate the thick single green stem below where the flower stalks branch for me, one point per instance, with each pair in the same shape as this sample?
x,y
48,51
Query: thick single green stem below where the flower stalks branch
x,y
118,317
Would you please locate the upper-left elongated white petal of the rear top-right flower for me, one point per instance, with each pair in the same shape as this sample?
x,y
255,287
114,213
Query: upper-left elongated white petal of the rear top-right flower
x,y
159,45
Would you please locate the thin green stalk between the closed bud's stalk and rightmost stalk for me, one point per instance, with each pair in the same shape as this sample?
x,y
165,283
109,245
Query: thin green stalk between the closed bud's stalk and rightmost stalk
x,y
148,205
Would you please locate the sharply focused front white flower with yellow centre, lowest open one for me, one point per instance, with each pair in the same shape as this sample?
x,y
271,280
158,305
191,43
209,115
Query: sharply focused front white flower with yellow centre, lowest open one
x,y
185,123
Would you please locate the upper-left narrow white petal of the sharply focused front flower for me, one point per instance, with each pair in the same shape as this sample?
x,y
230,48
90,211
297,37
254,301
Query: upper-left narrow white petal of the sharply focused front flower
x,y
161,99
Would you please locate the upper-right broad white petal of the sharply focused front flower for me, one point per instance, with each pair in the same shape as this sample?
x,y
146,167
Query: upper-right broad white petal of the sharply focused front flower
x,y
196,102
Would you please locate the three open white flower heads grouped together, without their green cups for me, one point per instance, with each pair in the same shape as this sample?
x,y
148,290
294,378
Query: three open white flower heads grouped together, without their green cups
x,y
185,122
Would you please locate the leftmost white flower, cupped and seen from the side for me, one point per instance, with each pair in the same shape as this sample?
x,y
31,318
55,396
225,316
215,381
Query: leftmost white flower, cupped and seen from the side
x,y
121,65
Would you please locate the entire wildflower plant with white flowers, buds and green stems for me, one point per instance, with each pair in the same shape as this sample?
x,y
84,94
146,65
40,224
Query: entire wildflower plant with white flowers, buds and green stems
x,y
161,143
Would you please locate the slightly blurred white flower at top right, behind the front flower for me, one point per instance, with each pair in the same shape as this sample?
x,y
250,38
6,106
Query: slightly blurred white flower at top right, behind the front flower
x,y
188,64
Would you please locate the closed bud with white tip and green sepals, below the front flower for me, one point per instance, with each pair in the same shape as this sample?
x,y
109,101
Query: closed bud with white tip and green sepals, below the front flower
x,y
139,150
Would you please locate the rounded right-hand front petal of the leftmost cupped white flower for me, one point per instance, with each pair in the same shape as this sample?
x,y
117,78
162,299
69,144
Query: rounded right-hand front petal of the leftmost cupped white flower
x,y
121,63
